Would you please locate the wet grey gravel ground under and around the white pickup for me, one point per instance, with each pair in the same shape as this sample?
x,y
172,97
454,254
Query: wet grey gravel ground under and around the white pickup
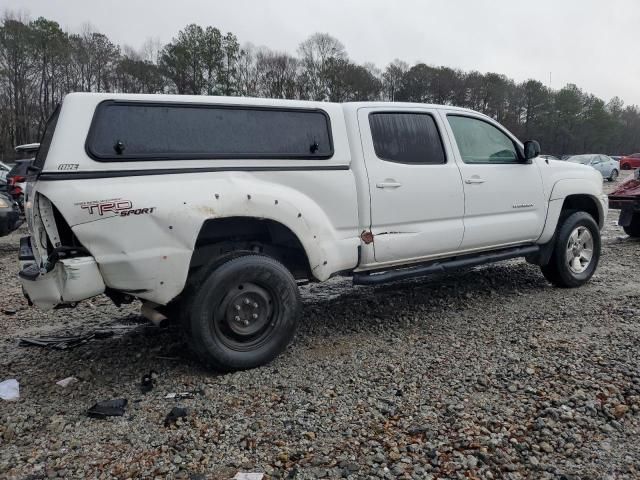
x,y
491,373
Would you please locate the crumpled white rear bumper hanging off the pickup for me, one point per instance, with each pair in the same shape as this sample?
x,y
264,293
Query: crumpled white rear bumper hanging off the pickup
x,y
69,281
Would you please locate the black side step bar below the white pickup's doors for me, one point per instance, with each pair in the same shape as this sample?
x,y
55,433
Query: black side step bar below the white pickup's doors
x,y
367,278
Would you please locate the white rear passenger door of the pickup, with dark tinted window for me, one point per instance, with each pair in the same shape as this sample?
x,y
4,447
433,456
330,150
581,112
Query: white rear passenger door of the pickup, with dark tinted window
x,y
417,198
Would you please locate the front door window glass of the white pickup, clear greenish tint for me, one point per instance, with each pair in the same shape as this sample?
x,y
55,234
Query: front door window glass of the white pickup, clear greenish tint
x,y
480,142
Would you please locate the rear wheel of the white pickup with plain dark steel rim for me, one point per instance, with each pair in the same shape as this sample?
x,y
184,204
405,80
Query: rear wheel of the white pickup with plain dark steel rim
x,y
242,313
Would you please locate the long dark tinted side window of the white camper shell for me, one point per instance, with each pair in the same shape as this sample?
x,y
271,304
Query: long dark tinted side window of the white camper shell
x,y
137,131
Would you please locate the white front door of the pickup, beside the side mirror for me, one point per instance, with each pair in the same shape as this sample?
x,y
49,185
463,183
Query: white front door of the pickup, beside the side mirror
x,y
504,195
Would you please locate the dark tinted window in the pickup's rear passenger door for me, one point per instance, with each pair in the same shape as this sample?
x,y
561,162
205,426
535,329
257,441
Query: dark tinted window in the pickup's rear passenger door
x,y
406,138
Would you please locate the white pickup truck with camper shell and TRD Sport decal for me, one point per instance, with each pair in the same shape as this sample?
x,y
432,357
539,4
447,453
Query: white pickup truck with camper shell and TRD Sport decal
x,y
215,208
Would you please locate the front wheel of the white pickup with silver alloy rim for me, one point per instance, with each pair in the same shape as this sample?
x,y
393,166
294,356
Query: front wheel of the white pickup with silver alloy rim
x,y
573,227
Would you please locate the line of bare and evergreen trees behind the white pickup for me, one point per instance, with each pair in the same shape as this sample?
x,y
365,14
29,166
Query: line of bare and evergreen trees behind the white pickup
x,y
40,63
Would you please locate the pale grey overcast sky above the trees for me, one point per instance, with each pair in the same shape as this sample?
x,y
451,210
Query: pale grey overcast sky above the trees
x,y
593,43
